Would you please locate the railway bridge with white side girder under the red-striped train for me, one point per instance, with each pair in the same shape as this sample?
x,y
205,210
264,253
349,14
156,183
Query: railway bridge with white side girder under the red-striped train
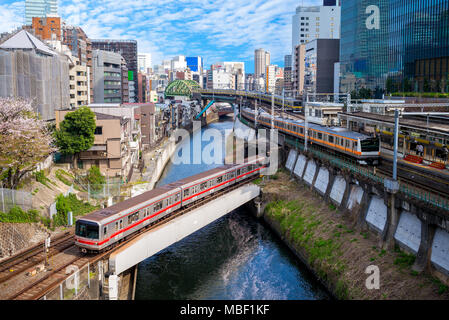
x,y
71,274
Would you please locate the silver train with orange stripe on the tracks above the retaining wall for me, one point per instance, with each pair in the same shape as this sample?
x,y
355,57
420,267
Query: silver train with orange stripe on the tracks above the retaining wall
x,y
364,149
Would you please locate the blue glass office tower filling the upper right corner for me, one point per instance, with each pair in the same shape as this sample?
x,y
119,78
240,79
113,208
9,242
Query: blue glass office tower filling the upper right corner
x,y
402,46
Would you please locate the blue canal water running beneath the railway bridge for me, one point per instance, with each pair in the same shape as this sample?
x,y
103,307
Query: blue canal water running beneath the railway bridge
x,y
236,257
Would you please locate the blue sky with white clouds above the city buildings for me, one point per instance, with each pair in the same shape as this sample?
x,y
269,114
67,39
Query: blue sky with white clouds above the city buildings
x,y
221,30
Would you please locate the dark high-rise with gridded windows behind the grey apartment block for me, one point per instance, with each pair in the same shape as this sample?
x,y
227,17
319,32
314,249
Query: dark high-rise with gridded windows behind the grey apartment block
x,y
128,50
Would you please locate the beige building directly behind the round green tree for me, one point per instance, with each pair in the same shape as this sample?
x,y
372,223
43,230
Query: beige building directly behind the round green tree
x,y
111,151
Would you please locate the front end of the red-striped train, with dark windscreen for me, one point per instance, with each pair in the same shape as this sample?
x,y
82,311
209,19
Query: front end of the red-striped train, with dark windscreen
x,y
87,235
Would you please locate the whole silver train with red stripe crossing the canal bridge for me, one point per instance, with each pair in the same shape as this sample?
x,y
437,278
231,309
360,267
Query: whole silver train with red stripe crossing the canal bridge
x,y
105,228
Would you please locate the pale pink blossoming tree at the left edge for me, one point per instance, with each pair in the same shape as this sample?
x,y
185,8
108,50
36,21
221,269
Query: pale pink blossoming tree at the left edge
x,y
25,140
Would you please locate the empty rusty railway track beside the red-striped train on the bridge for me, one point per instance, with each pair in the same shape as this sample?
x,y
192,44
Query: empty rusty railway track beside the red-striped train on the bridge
x,y
44,285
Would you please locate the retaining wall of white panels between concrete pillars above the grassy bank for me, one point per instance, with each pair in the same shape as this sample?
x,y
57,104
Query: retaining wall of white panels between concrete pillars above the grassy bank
x,y
414,227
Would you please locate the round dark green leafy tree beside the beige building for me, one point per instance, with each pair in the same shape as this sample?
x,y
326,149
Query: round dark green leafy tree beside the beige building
x,y
76,132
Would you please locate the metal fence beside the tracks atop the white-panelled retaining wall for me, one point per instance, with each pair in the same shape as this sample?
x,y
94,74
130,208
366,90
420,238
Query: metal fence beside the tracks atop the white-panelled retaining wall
x,y
344,163
